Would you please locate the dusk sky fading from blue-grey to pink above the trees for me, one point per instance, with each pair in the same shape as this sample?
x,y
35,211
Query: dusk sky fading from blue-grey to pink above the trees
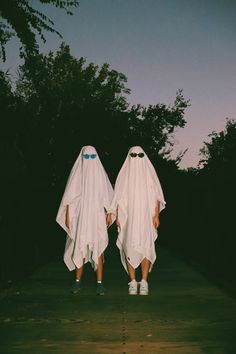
x,y
161,46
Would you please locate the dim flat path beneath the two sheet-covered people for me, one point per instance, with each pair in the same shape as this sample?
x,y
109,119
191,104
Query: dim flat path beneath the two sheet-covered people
x,y
184,313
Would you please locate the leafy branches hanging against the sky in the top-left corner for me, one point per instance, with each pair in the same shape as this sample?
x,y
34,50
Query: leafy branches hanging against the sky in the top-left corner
x,y
24,21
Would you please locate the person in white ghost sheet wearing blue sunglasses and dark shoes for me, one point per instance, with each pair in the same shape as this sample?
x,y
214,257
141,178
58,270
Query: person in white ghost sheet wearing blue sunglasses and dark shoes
x,y
83,215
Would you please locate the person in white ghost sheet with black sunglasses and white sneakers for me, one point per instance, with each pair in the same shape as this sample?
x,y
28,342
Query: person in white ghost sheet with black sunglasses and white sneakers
x,y
138,200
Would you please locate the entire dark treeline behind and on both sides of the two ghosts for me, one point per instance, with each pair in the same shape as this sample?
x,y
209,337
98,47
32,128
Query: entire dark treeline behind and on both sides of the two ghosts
x,y
57,105
